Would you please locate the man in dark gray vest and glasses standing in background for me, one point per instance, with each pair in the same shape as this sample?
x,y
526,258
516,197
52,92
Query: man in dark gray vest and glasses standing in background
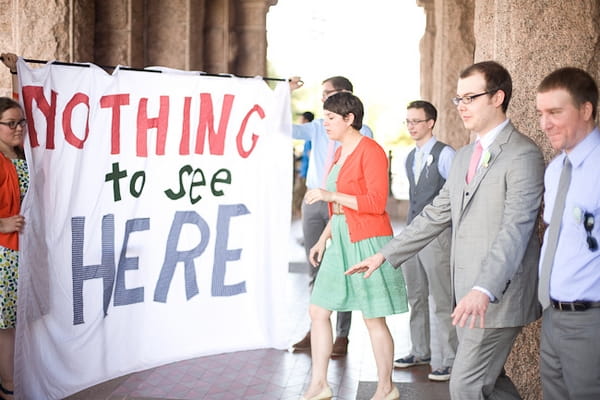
x,y
428,272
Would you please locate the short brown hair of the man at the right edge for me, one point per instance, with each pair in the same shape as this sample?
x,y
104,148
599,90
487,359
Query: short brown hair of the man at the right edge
x,y
580,85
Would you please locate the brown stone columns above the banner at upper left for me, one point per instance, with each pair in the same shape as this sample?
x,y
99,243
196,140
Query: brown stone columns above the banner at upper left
x,y
216,36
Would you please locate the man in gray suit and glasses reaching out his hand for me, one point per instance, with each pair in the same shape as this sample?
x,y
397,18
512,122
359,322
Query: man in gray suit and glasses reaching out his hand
x,y
491,199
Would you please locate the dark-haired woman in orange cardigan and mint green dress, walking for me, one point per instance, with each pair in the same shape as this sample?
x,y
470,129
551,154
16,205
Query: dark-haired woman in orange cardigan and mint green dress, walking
x,y
357,192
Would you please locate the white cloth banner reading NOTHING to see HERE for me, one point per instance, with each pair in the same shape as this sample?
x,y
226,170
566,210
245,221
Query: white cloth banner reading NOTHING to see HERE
x,y
158,218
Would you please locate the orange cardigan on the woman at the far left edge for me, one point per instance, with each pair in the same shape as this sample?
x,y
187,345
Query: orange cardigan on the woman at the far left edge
x,y
10,200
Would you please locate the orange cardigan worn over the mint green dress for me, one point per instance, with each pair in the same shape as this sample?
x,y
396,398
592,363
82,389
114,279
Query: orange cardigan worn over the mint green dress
x,y
365,175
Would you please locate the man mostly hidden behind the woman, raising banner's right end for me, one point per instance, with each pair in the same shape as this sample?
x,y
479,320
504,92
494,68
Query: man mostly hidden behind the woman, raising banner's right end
x,y
315,216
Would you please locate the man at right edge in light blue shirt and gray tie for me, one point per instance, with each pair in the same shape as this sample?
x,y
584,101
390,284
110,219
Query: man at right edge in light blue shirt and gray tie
x,y
569,285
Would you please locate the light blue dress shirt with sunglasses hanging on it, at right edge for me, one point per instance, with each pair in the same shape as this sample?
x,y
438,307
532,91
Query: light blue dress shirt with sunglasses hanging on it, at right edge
x,y
576,270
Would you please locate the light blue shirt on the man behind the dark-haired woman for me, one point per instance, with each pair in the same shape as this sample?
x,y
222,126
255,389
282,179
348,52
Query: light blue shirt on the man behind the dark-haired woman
x,y
321,144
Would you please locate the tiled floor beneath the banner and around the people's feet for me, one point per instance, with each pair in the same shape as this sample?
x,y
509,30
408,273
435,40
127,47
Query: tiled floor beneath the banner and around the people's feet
x,y
267,374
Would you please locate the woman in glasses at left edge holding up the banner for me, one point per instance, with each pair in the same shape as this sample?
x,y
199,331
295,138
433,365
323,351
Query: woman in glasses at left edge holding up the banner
x,y
14,181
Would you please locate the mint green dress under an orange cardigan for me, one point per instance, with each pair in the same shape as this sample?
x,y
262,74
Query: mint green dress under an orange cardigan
x,y
383,293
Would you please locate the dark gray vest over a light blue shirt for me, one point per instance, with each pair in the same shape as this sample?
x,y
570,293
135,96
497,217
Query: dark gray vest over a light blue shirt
x,y
430,181
